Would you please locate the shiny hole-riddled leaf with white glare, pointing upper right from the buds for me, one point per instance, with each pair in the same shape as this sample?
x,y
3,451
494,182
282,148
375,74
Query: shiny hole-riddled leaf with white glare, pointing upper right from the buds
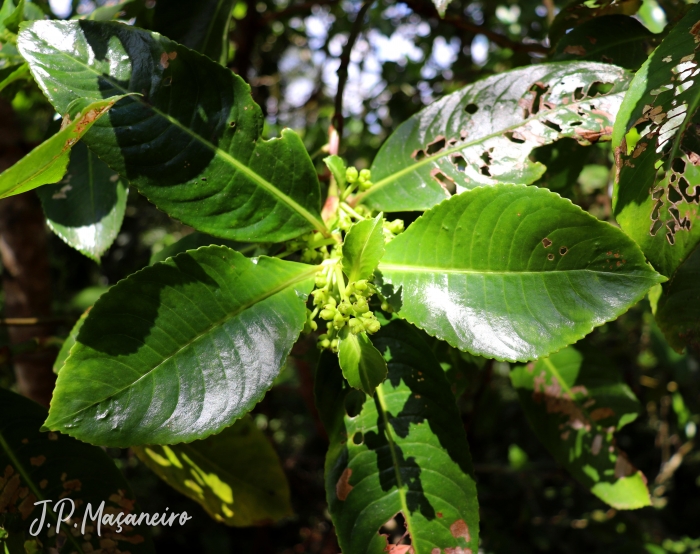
x,y
485,133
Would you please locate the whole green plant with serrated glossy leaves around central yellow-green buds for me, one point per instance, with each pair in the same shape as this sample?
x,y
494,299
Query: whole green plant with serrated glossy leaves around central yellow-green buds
x,y
171,359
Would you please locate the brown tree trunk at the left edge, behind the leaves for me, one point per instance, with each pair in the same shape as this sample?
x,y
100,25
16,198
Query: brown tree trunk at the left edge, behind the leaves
x,y
26,278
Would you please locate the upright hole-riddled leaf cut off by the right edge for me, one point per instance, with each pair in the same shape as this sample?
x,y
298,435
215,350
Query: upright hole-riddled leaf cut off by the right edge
x,y
657,151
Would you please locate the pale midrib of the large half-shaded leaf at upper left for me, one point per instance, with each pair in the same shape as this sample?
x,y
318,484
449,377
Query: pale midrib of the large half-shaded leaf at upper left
x,y
239,166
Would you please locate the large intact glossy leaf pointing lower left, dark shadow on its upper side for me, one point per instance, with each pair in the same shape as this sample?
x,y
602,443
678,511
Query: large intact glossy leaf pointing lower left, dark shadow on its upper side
x,y
181,349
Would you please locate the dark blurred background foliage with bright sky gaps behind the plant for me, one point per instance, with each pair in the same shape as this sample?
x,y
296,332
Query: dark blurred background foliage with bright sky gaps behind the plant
x,y
405,58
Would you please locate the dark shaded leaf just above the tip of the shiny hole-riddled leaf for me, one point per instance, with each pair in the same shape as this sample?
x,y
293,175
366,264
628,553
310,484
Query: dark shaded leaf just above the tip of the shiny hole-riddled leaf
x,y
617,39
